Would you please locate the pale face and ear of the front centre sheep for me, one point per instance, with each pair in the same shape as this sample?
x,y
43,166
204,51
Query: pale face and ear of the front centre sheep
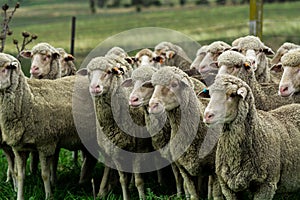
x,y
166,97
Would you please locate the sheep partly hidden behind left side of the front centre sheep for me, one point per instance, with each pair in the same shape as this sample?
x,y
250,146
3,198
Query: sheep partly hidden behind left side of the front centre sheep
x,y
158,127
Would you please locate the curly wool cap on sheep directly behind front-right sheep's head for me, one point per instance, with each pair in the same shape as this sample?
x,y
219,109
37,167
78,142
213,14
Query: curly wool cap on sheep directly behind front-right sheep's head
x,y
231,58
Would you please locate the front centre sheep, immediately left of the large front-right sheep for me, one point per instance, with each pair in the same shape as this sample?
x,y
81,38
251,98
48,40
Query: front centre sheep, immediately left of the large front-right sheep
x,y
173,94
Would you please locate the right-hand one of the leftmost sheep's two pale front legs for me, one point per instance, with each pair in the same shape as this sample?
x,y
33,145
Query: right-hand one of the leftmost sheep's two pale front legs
x,y
45,168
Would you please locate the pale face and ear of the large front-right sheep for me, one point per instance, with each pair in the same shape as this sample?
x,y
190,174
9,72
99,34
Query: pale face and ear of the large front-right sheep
x,y
223,105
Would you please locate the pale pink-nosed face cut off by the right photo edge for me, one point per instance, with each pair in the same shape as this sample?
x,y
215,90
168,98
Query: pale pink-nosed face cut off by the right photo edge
x,y
290,81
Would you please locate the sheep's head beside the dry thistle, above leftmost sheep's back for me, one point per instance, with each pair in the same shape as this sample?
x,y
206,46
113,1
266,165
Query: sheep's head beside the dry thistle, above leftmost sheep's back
x,y
45,62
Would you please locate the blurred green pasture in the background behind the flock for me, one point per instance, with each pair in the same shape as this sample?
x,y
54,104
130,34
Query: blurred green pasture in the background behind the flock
x,y
204,24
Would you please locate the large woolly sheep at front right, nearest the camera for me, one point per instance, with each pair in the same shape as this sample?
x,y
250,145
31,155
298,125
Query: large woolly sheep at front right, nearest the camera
x,y
256,150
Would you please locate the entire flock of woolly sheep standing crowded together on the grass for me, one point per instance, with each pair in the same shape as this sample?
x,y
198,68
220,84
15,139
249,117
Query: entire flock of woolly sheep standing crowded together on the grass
x,y
228,122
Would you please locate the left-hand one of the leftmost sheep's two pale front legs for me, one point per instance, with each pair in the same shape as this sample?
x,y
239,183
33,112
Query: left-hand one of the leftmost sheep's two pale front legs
x,y
20,159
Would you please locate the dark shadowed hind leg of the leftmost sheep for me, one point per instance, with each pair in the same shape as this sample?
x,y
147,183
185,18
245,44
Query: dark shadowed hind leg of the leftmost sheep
x,y
88,165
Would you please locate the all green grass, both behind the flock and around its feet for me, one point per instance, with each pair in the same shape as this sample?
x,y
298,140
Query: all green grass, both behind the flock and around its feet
x,y
204,24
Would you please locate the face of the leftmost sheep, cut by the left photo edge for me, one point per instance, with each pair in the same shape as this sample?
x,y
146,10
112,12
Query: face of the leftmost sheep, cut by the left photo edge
x,y
6,73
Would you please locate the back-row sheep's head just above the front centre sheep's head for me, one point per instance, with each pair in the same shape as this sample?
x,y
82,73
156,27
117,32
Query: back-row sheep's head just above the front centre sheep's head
x,y
173,55
